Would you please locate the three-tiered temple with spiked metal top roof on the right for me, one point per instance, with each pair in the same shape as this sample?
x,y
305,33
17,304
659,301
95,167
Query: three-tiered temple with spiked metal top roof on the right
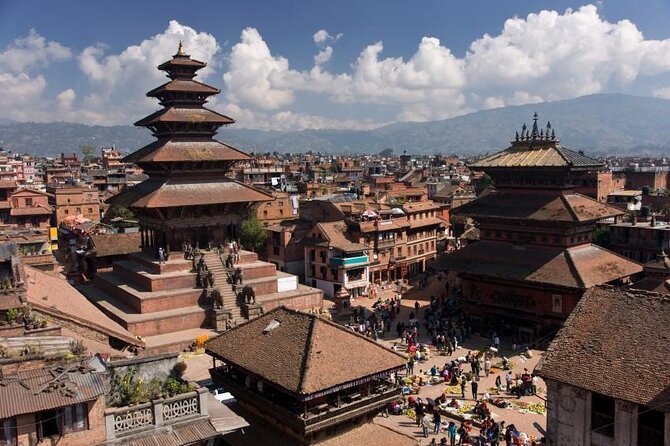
x,y
535,258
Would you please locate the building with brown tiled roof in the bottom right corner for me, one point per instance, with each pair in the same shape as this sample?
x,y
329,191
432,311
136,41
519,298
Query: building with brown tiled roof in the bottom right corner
x,y
606,376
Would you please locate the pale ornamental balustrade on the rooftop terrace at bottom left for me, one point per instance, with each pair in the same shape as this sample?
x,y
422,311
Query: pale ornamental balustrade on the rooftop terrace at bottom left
x,y
129,420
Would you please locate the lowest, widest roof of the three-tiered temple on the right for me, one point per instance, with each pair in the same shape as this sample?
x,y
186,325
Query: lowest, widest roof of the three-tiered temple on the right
x,y
578,267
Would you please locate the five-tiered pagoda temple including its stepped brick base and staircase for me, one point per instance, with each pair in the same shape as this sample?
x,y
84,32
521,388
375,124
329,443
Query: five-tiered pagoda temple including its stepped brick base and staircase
x,y
188,200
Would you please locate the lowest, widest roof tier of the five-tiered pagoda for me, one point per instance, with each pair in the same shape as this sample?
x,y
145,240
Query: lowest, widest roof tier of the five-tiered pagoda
x,y
168,192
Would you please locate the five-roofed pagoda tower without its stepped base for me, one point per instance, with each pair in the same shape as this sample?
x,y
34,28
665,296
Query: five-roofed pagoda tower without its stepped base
x,y
187,198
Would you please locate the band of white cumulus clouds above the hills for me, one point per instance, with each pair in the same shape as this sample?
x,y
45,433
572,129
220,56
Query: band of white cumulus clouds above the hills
x,y
547,55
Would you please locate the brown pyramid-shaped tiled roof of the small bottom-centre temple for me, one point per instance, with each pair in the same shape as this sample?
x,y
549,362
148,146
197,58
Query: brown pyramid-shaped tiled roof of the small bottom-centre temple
x,y
304,354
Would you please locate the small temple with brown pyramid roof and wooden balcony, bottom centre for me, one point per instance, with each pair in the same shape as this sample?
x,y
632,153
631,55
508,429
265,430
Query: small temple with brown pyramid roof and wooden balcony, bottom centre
x,y
309,378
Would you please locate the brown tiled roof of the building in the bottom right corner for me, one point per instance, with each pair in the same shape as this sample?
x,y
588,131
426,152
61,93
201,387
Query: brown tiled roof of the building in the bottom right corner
x,y
615,343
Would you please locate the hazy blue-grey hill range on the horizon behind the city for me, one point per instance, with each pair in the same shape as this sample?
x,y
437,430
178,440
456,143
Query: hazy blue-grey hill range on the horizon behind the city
x,y
602,123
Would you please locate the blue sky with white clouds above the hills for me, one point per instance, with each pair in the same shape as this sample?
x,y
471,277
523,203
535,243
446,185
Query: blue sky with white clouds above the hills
x,y
336,64
